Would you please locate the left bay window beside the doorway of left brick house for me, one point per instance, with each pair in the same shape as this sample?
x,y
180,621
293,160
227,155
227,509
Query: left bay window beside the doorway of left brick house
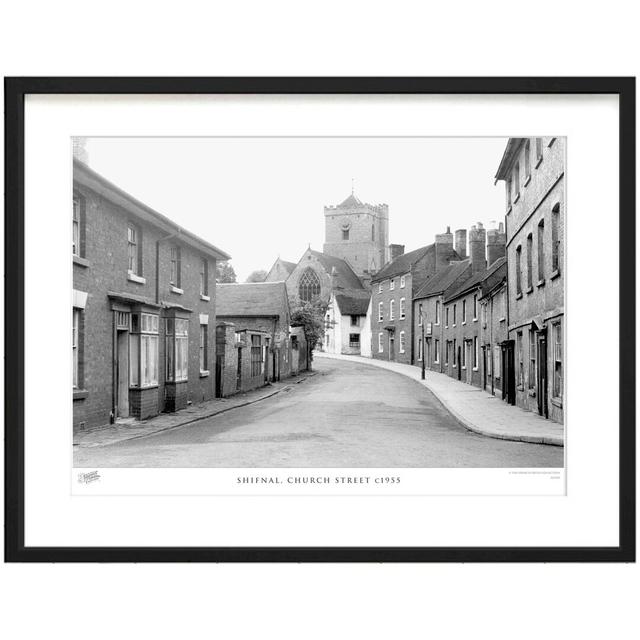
x,y
143,350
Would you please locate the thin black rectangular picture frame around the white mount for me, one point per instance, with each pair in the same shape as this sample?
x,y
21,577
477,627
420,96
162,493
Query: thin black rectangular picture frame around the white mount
x,y
15,91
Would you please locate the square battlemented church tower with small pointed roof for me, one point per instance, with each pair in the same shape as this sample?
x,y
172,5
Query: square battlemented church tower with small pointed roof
x,y
358,233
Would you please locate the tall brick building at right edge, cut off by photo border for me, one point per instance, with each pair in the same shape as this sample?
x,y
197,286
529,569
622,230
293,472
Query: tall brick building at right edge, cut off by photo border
x,y
533,172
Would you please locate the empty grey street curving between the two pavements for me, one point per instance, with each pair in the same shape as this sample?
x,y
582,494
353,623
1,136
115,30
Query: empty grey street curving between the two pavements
x,y
347,415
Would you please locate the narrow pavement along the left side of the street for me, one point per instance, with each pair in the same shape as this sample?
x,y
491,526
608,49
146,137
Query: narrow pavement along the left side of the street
x,y
131,429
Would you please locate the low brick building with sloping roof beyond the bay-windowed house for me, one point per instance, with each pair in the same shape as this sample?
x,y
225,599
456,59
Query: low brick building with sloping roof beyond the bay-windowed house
x,y
254,340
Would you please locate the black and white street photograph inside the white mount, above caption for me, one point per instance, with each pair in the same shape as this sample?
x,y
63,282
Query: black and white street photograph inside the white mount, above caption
x,y
318,302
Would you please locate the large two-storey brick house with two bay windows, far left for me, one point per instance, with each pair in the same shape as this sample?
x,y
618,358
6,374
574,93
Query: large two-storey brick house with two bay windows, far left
x,y
143,307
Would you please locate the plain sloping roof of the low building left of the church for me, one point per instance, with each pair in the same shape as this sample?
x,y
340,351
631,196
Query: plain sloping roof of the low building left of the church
x,y
263,299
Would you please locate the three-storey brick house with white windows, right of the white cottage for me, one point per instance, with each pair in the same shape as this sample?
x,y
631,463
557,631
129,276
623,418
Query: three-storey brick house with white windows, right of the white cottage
x,y
392,292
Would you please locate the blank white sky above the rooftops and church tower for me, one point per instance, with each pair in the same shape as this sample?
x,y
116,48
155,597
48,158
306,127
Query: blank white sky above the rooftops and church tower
x,y
257,198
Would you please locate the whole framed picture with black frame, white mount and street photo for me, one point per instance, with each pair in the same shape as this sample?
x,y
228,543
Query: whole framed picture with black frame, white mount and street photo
x,y
320,319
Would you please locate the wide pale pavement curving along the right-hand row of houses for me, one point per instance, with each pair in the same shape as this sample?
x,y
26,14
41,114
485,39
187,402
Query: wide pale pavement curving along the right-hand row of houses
x,y
476,409
